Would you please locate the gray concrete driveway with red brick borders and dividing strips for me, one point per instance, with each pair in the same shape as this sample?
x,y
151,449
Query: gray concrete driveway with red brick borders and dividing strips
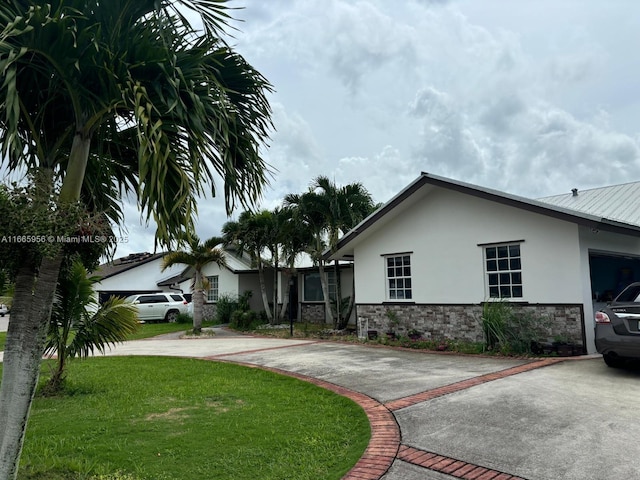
x,y
442,416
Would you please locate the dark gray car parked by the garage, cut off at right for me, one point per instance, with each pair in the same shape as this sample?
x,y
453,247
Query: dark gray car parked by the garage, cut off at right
x,y
618,328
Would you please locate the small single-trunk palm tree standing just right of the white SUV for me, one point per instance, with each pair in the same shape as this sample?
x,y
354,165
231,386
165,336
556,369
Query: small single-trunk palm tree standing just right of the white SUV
x,y
199,256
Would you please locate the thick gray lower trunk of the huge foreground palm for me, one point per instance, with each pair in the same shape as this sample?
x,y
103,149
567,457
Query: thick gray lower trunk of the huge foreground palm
x,y
33,299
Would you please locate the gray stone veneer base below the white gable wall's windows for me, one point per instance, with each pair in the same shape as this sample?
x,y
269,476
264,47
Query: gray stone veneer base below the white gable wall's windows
x,y
464,322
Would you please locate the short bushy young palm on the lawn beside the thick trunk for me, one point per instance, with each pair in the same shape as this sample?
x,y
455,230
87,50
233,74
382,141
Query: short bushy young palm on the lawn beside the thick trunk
x,y
79,326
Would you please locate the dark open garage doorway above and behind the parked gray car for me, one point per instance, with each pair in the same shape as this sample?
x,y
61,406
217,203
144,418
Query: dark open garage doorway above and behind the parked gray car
x,y
610,274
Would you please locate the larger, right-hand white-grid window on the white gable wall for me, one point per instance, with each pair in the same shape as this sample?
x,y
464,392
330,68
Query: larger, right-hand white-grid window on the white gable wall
x,y
504,271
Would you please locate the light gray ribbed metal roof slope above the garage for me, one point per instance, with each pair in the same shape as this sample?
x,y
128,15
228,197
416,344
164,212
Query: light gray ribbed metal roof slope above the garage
x,y
617,202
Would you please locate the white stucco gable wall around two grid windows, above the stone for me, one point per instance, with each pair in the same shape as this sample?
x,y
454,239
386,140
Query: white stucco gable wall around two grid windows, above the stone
x,y
443,232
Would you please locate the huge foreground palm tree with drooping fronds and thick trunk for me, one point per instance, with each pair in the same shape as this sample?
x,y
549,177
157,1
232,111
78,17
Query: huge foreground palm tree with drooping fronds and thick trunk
x,y
132,90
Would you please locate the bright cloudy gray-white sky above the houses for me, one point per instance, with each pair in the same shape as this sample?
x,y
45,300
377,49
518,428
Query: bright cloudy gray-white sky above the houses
x,y
533,97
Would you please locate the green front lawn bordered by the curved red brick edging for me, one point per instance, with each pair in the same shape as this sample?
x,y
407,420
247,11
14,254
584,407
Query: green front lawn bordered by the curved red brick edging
x,y
144,418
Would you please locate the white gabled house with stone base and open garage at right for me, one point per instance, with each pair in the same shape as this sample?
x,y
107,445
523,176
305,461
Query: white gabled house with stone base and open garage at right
x,y
441,248
